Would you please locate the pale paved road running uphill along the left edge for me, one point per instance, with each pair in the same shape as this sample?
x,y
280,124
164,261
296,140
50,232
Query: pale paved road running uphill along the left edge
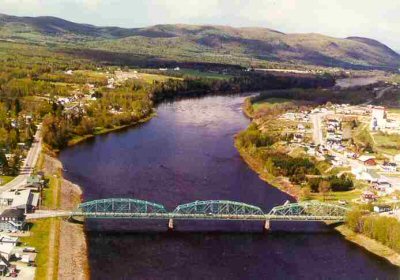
x,y
28,165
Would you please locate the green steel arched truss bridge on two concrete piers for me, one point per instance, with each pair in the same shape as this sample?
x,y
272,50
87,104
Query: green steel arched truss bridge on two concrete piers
x,y
127,208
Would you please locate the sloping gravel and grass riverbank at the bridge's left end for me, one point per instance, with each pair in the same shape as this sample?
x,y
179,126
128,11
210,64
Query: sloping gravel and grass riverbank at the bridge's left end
x,y
67,241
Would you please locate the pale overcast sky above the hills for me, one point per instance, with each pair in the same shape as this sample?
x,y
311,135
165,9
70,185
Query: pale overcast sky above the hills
x,y
378,19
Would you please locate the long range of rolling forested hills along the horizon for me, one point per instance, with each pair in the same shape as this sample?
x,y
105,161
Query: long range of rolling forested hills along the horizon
x,y
222,44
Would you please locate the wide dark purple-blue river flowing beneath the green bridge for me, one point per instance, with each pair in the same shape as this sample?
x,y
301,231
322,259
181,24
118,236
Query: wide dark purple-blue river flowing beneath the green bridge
x,y
184,154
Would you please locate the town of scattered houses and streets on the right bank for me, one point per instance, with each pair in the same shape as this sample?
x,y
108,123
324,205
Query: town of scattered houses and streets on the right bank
x,y
330,134
